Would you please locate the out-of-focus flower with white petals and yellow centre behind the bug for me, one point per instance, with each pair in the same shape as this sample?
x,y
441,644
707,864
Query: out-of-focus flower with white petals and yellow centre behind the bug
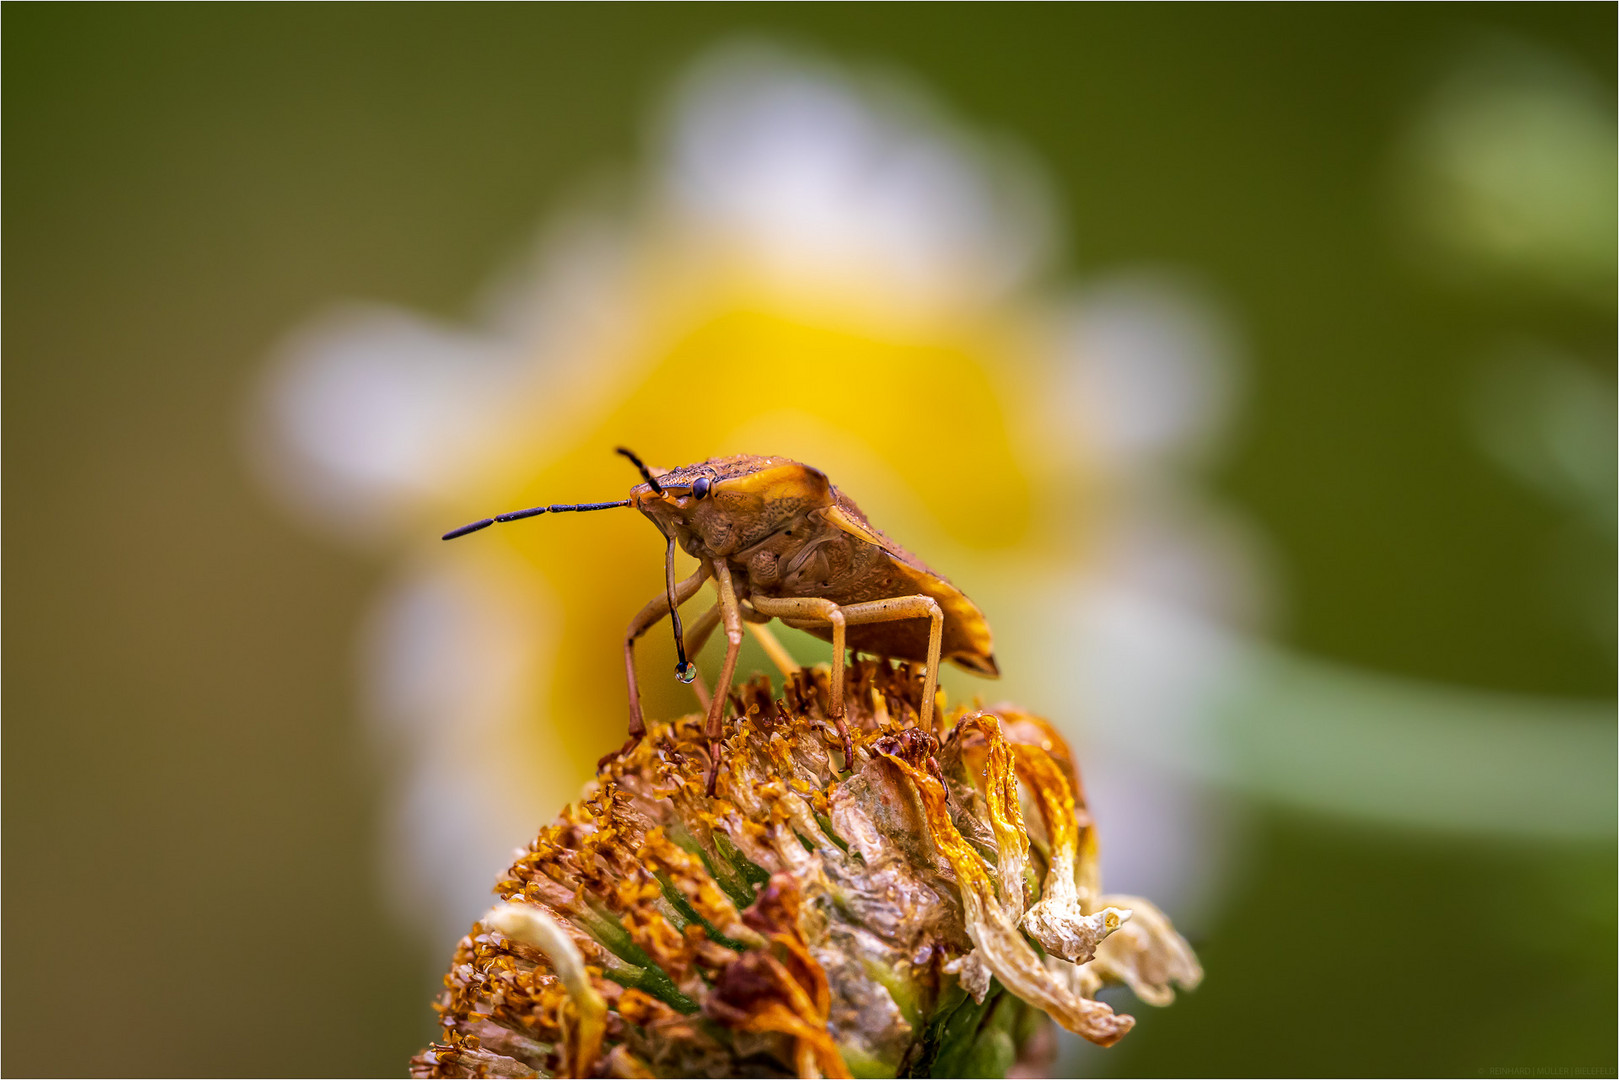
x,y
818,265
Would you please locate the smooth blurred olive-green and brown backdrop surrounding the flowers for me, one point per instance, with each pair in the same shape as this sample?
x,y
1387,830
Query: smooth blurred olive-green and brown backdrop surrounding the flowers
x,y
190,810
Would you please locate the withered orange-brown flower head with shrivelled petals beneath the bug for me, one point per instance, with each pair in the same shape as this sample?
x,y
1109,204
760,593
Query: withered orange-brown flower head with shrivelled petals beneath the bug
x,y
919,911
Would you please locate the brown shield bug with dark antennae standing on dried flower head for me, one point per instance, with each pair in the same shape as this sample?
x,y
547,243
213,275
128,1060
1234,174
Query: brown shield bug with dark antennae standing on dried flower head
x,y
783,543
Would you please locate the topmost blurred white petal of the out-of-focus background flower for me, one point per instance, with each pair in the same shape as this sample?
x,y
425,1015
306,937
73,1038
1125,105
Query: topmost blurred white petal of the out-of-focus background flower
x,y
818,177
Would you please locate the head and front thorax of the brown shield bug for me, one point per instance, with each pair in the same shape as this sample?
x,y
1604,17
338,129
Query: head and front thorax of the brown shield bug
x,y
728,504
